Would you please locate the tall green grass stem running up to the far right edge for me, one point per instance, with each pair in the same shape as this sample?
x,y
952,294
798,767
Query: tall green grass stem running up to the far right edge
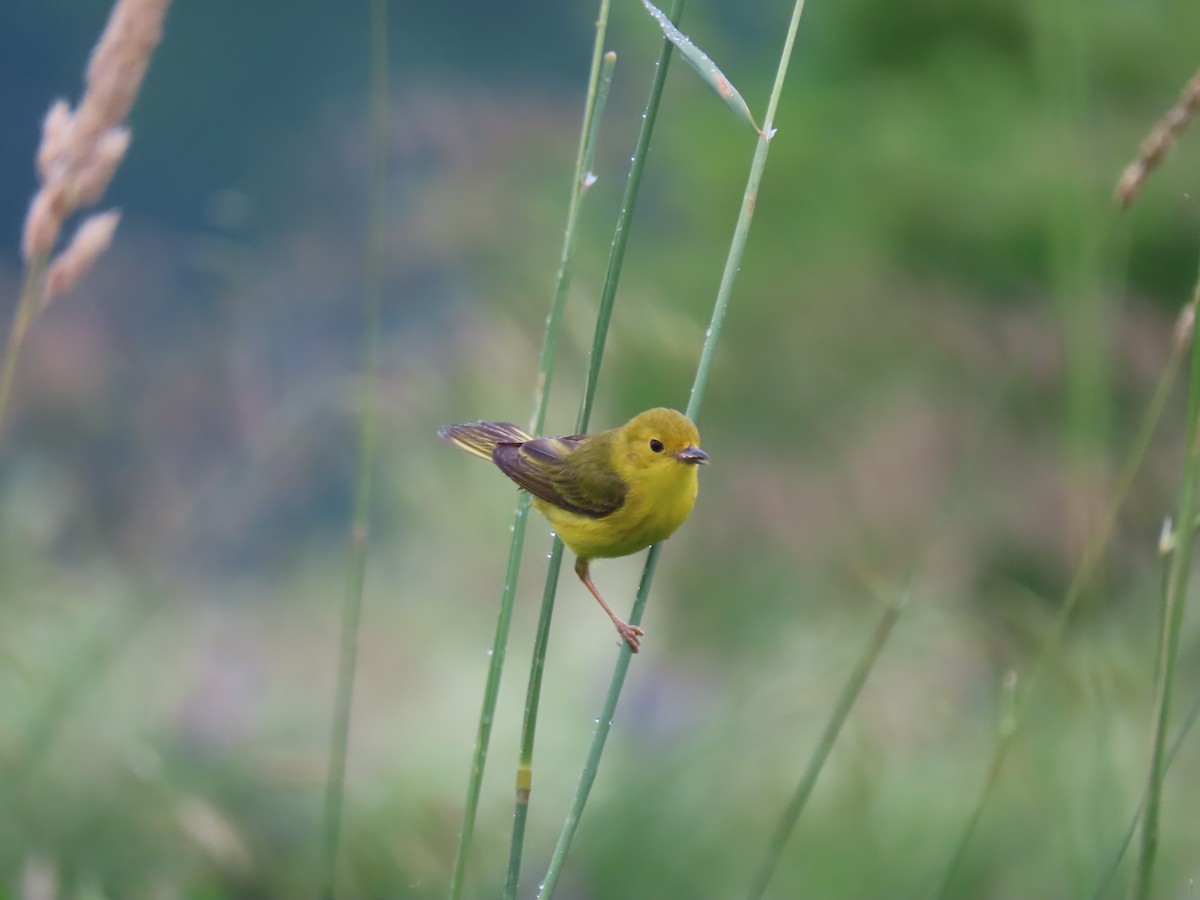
x,y
1173,625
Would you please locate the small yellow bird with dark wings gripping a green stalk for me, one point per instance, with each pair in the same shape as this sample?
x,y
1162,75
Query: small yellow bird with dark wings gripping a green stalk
x,y
607,495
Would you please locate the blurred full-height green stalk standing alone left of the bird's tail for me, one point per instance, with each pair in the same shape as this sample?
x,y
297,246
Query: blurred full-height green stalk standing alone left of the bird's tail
x,y
361,529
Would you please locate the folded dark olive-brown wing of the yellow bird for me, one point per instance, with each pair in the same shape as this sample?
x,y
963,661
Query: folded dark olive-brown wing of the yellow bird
x,y
573,473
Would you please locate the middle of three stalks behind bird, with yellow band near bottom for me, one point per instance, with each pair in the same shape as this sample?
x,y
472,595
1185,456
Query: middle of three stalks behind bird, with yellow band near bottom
x,y
604,316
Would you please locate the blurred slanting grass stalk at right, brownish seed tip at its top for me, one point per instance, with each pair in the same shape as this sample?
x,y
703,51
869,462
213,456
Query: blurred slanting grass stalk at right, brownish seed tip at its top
x,y
1081,580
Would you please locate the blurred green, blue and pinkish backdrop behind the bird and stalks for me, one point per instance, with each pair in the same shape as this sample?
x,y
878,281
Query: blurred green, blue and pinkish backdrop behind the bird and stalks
x,y
939,351
